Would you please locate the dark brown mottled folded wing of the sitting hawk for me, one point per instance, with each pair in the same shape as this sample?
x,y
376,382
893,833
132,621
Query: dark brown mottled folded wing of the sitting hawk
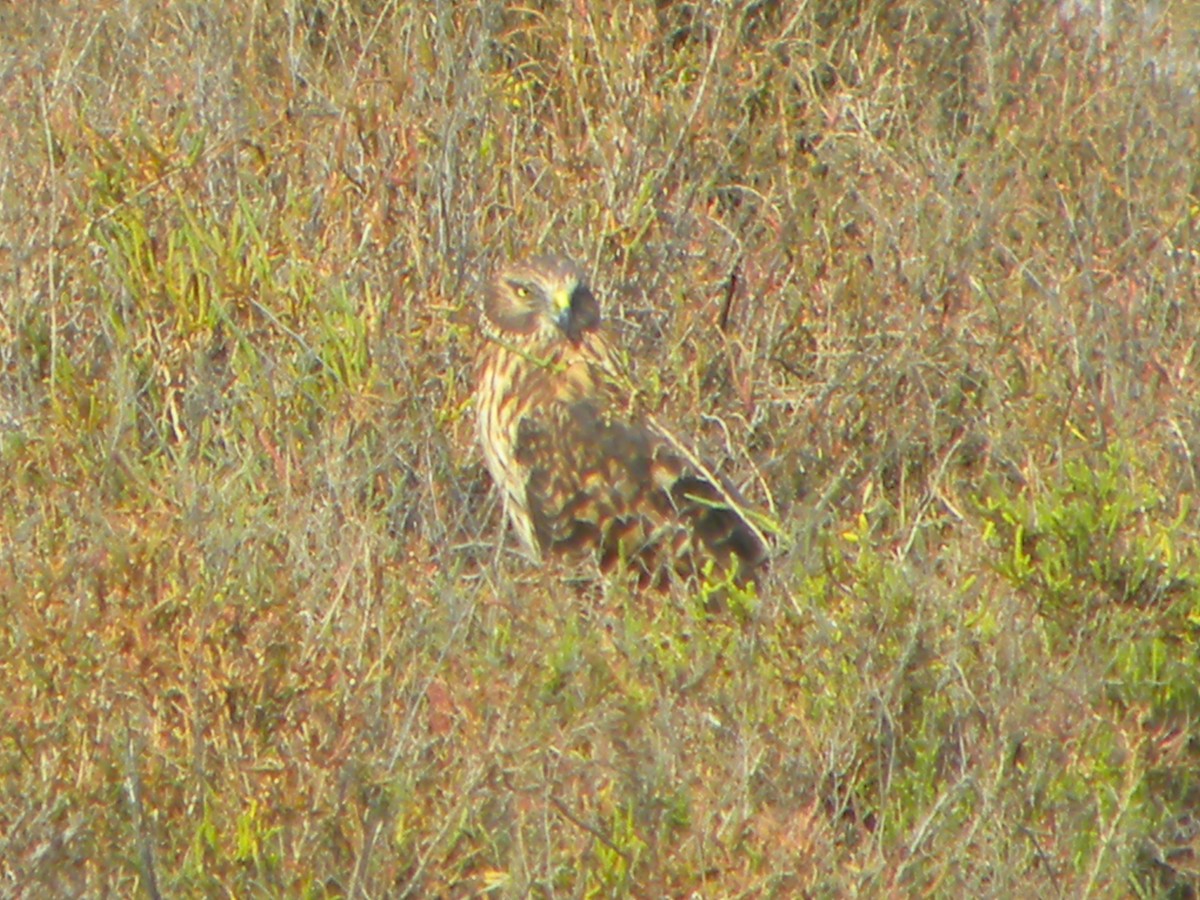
x,y
607,484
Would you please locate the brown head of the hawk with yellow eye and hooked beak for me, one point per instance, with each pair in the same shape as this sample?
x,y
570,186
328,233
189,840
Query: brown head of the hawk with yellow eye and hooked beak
x,y
543,297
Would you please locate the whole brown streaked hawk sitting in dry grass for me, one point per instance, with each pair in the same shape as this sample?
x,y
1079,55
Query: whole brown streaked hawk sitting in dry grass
x,y
583,467
